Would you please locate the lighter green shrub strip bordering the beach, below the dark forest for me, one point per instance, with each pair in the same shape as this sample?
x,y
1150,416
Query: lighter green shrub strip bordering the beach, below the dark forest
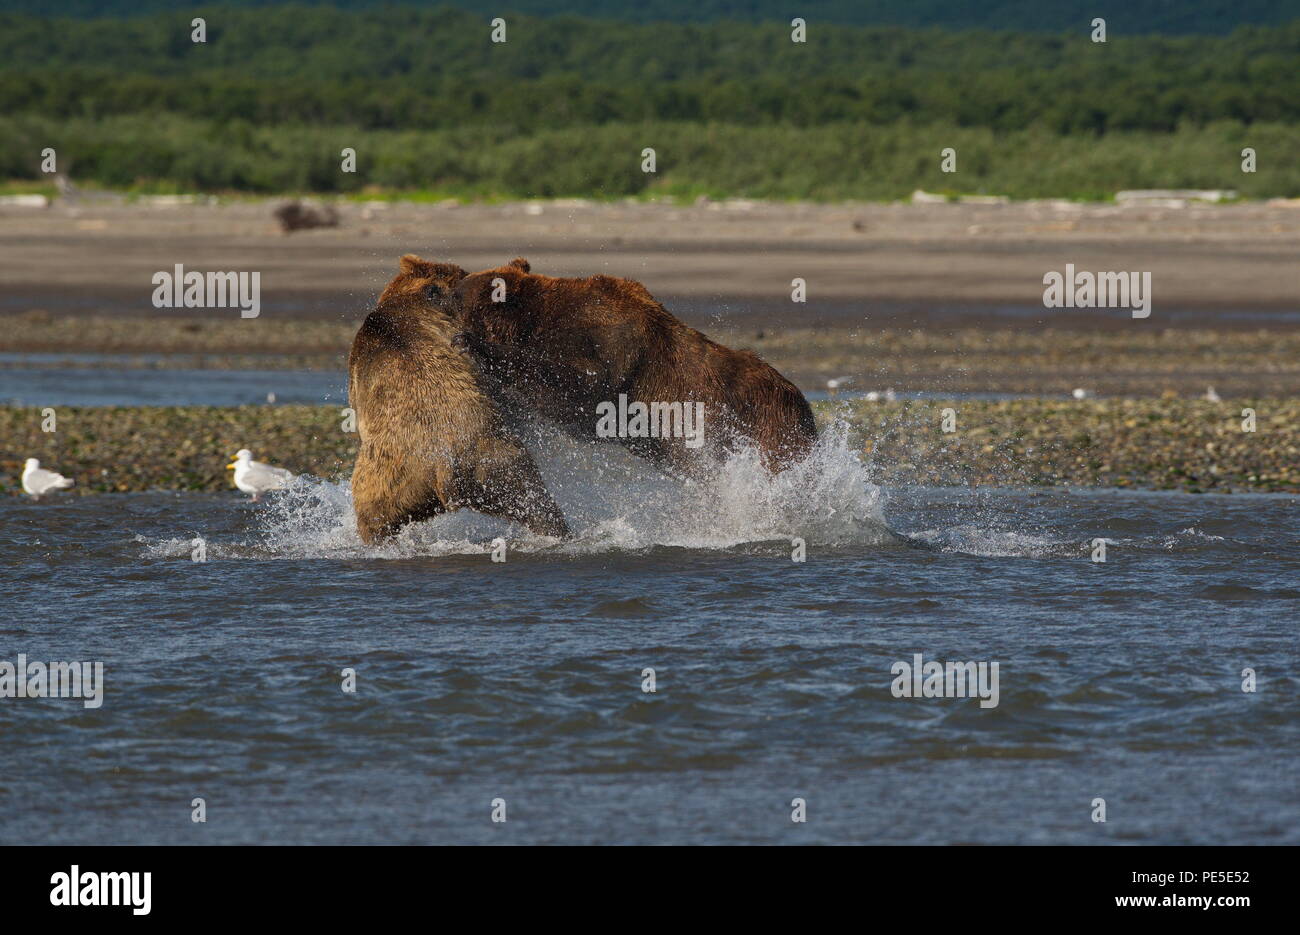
x,y
834,162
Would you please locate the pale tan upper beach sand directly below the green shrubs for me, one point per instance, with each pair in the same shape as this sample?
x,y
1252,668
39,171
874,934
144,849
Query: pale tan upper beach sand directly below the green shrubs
x,y
892,262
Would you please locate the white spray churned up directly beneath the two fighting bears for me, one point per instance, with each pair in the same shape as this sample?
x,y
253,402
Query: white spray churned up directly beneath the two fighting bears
x,y
613,501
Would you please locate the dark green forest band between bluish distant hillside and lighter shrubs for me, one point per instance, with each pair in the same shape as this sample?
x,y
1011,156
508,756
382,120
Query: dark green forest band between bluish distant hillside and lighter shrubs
x,y
404,68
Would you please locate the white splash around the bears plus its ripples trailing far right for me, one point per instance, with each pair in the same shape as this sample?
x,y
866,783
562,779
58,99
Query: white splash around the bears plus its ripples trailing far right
x,y
618,503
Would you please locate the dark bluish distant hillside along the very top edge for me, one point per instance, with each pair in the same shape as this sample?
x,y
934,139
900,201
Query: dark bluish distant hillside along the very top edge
x,y
1171,18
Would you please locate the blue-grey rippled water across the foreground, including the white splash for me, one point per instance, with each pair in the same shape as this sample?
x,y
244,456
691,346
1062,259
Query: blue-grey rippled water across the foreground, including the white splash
x,y
523,681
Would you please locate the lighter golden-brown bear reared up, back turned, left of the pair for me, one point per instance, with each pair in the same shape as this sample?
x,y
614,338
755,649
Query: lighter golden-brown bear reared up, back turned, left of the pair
x,y
432,440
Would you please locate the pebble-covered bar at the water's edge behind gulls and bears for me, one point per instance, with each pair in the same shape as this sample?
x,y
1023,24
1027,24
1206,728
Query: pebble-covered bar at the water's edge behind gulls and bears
x,y
1164,444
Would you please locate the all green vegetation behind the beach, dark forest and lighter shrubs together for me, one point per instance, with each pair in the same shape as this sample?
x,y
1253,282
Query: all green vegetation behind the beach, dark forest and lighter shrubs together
x,y
566,106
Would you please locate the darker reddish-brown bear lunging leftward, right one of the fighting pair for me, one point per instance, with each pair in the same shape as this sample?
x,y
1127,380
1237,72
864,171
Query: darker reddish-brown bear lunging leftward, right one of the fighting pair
x,y
601,358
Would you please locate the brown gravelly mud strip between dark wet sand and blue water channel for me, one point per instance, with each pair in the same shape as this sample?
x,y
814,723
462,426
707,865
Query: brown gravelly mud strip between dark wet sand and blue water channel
x,y
998,354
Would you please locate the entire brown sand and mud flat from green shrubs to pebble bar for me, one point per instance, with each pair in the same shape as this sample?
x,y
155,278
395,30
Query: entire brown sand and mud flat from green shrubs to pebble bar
x,y
917,297
